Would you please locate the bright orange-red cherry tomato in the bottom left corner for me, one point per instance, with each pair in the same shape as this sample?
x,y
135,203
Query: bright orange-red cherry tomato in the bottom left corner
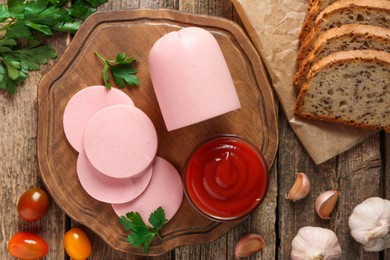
x,y
27,246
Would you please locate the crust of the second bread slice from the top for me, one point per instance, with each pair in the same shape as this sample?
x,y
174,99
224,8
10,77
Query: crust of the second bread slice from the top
x,y
337,8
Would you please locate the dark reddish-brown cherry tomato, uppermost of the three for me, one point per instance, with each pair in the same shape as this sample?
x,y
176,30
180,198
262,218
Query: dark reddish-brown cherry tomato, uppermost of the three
x,y
33,204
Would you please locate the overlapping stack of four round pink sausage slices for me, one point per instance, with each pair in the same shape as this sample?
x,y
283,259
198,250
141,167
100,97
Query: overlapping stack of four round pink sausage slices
x,y
117,146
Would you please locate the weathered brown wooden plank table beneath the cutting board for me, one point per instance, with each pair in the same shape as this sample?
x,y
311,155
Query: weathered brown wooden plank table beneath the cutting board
x,y
358,173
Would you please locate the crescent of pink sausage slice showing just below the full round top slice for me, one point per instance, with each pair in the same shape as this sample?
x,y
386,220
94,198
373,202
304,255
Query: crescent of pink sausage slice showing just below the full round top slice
x,y
108,189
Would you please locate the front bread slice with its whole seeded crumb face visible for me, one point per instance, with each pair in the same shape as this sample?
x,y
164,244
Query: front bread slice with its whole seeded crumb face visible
x,y
349,87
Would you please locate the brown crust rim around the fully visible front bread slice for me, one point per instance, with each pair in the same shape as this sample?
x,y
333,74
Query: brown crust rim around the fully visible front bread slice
x,y
377,57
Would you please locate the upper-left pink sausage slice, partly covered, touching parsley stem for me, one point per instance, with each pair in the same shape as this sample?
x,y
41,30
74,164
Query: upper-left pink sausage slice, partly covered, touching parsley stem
x,y
83,105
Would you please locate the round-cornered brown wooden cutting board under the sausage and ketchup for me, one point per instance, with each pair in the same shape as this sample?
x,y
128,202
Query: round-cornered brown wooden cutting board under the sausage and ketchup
x,y
134,32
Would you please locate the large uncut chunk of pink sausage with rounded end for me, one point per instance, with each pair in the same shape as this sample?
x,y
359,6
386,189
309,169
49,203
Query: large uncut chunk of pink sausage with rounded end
x,y
190,77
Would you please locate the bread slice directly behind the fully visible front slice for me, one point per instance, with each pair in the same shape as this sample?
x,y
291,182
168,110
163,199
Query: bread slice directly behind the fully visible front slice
x,y
346,37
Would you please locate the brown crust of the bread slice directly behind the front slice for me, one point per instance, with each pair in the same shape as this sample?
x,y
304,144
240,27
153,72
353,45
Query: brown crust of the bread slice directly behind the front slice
x,y
368,33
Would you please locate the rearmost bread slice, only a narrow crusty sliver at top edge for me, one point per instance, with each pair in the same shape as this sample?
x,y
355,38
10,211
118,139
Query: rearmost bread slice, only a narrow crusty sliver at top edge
x,y
313,9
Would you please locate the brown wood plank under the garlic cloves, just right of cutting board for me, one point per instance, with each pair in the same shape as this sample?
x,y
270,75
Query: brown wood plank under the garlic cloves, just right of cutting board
x,y
294,215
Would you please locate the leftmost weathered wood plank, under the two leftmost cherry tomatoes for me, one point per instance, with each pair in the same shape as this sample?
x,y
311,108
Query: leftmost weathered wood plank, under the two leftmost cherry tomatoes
x,y
18,166
